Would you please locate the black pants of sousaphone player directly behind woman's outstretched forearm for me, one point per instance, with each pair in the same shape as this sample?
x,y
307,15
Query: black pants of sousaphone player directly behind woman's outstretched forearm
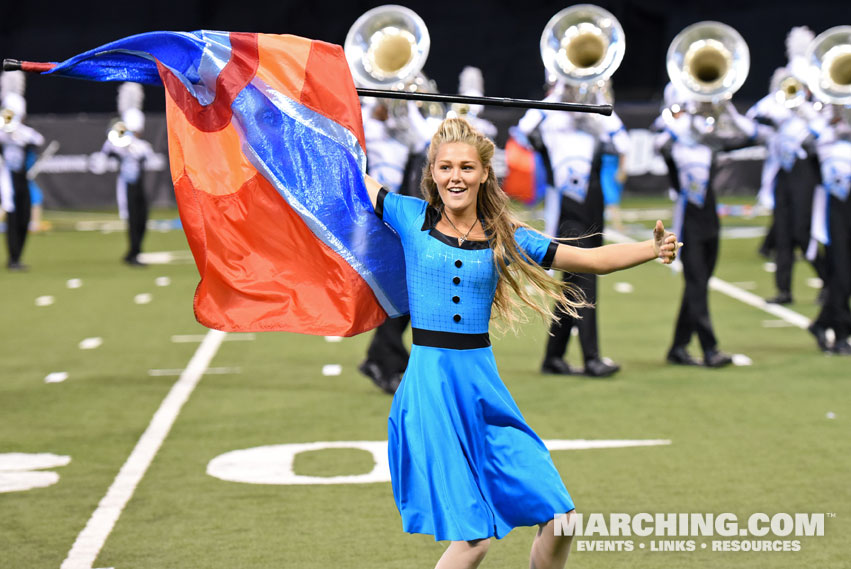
x,y
561,329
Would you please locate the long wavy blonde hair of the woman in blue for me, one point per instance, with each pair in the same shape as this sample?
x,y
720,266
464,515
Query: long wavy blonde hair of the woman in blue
x,y
514,267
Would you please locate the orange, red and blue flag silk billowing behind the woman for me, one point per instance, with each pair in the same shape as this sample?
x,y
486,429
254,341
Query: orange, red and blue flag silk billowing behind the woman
x,y
267,156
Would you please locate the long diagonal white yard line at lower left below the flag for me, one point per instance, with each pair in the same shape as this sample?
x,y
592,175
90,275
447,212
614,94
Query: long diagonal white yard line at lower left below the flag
x,y
90,541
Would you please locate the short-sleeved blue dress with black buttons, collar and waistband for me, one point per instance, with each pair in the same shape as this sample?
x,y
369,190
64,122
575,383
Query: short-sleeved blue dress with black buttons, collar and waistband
x,y
463,461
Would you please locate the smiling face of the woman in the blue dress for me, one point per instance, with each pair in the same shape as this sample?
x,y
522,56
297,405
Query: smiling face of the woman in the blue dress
x,y
458,173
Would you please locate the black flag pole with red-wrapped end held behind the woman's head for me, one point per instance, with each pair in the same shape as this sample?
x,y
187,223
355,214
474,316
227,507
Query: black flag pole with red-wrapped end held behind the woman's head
x,y
35,67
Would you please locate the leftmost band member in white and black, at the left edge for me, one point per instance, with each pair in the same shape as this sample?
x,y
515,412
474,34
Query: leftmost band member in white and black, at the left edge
x,y
16,140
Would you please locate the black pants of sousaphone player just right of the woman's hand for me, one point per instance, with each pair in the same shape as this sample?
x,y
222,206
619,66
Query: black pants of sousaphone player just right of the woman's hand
x,y
699,257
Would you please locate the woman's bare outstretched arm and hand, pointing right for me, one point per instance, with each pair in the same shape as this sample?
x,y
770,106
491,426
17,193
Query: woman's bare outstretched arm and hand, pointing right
x,y
610,258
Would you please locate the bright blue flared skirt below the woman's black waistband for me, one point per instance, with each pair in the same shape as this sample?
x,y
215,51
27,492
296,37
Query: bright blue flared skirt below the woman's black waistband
x,y
464,463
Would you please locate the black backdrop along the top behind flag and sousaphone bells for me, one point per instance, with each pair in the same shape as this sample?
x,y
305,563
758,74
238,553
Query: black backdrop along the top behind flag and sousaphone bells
x,y
501,37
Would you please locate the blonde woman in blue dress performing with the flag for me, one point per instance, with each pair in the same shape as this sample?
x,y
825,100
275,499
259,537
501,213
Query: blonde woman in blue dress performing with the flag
x,y
465,466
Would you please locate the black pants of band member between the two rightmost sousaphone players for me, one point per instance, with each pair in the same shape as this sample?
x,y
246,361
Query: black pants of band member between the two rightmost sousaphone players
x,y
793,199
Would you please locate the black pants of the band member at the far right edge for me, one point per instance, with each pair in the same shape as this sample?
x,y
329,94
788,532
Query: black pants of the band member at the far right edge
x,y
835,312
